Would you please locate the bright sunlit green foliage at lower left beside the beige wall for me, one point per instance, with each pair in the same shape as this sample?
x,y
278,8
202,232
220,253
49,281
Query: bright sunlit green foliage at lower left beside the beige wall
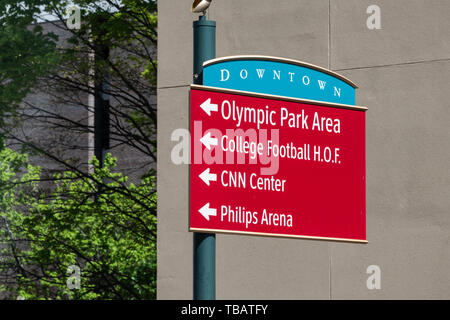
x,y
91,222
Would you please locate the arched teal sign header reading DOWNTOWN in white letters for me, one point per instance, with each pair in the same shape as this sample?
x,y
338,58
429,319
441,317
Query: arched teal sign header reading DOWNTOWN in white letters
x,y
278,76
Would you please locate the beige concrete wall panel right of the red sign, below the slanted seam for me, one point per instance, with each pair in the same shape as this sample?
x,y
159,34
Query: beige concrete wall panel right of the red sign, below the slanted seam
x,y
408,178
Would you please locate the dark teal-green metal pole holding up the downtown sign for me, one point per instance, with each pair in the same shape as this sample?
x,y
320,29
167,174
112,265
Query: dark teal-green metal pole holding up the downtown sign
x,y
204,243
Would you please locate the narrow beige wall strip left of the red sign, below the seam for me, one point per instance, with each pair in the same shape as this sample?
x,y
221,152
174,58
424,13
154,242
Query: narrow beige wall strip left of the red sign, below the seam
x,y
174,240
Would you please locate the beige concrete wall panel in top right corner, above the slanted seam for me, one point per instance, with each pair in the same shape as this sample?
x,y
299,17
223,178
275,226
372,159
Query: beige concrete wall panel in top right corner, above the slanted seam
x,y
411,30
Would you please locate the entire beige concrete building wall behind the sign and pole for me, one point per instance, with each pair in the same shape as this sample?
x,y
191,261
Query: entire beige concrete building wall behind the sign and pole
x,y
403,74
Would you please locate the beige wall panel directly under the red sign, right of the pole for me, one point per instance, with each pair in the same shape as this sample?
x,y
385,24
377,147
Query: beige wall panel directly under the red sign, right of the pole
x,y
269,268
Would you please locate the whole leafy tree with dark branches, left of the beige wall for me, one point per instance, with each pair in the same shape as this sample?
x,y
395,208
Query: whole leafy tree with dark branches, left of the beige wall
x,y
94,219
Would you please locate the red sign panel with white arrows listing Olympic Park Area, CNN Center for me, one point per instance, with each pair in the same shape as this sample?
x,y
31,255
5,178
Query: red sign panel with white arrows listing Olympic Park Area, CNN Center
x,y
264,165
